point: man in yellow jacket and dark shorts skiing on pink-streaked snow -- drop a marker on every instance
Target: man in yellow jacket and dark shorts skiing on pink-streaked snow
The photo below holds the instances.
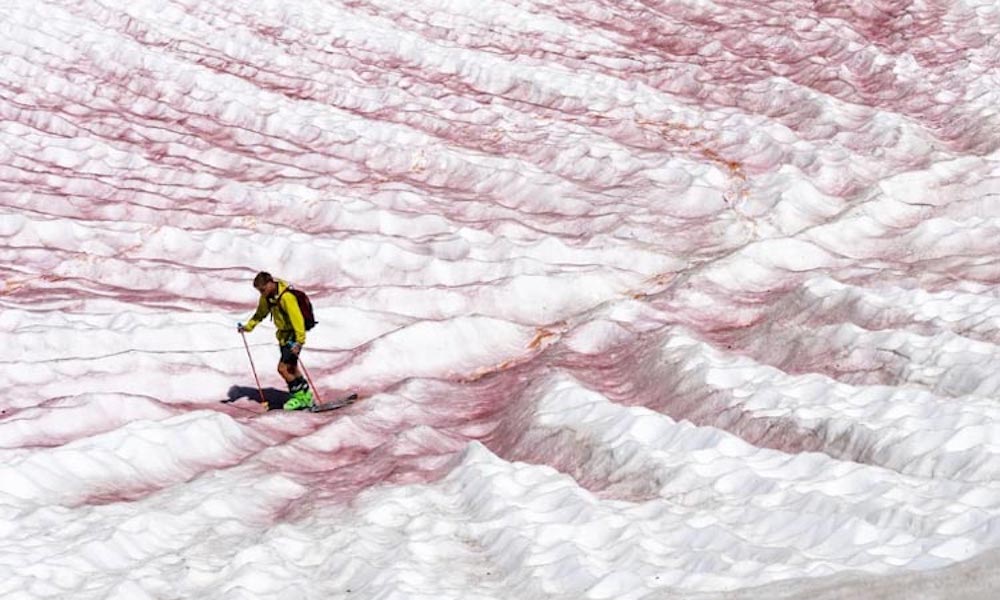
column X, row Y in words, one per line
column 288, row 319
